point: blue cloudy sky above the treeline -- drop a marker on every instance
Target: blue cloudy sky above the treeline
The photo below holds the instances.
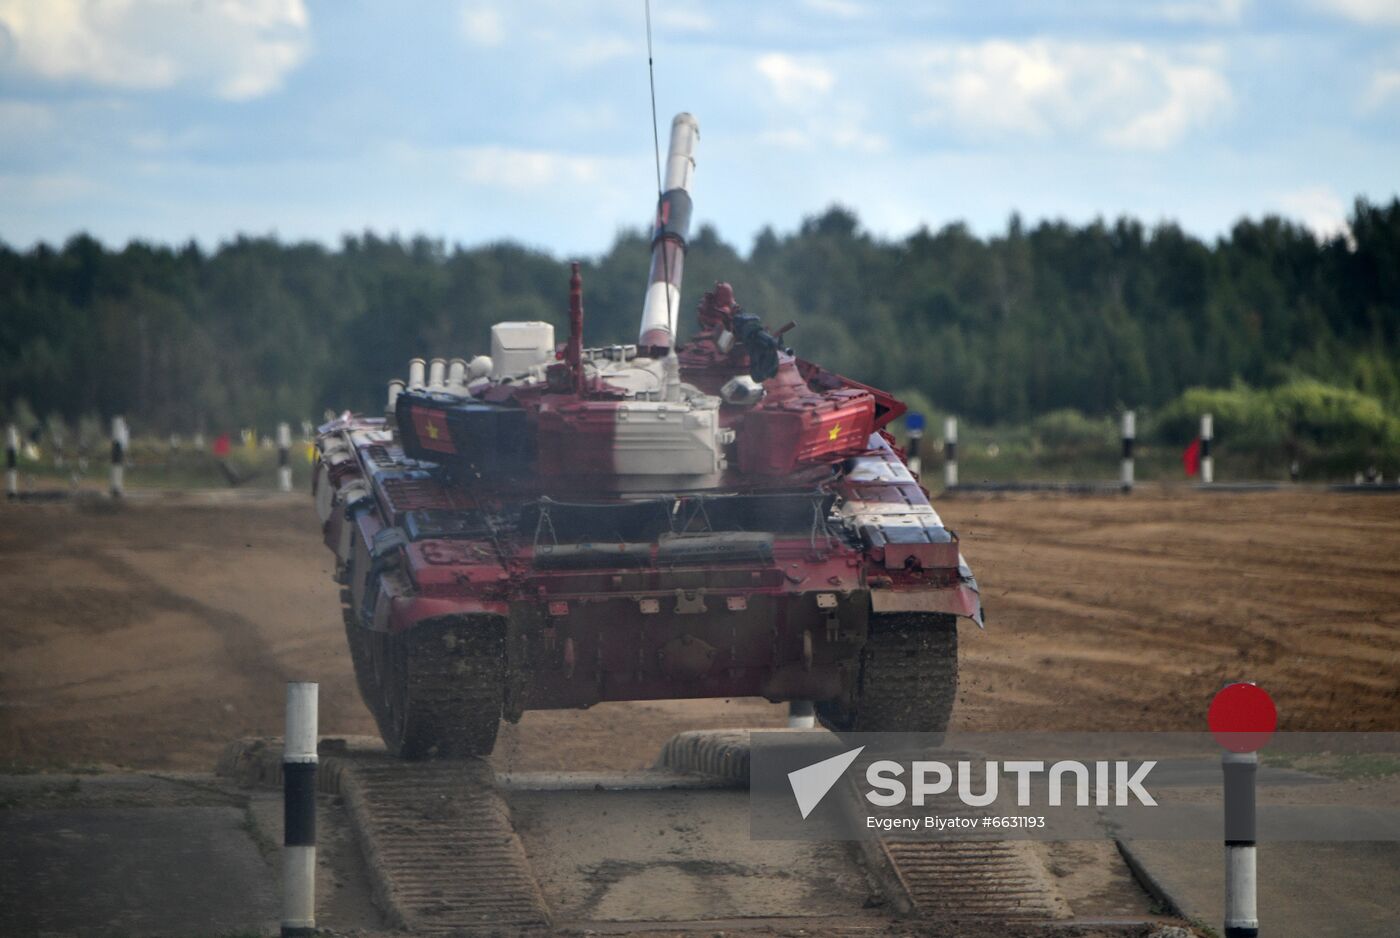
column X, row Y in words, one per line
column 478, row 121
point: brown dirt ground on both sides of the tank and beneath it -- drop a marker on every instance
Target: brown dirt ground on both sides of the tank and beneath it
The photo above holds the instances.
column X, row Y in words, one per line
column 150, row 636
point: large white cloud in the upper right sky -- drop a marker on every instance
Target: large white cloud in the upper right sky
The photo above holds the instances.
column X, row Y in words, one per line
column 1118, row 93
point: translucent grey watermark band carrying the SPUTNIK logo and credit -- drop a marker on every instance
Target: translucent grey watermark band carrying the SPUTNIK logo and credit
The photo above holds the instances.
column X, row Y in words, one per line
column 1034, row 786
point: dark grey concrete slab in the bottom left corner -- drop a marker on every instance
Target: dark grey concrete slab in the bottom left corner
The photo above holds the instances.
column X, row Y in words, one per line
column 134, row 871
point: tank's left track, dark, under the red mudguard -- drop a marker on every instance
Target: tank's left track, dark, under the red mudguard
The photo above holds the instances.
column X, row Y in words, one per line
column 436, row 689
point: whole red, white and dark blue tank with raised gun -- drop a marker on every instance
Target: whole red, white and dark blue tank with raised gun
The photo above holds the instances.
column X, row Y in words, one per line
column 558, row 524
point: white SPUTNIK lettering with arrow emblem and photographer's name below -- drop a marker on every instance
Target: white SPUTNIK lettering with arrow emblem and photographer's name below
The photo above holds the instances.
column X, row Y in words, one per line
column 1114, row 783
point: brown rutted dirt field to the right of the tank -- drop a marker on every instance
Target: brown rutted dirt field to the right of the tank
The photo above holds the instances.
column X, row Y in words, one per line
column 1129, row 612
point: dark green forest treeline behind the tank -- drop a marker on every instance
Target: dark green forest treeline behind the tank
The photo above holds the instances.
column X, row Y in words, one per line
column 1035, row 320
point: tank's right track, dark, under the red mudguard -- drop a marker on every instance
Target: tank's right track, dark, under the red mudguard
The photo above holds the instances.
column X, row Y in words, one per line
column 908, row 678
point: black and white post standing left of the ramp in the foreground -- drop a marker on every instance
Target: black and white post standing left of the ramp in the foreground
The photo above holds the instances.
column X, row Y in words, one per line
column 299, row 792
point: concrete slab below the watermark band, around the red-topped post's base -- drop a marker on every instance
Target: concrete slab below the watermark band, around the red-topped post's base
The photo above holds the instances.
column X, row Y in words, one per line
column 1305, row 890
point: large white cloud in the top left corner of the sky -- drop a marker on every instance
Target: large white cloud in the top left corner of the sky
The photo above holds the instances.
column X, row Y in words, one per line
column 239, row 50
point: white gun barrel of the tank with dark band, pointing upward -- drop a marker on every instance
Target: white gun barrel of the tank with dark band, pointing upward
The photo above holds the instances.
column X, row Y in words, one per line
column 668, row 240
